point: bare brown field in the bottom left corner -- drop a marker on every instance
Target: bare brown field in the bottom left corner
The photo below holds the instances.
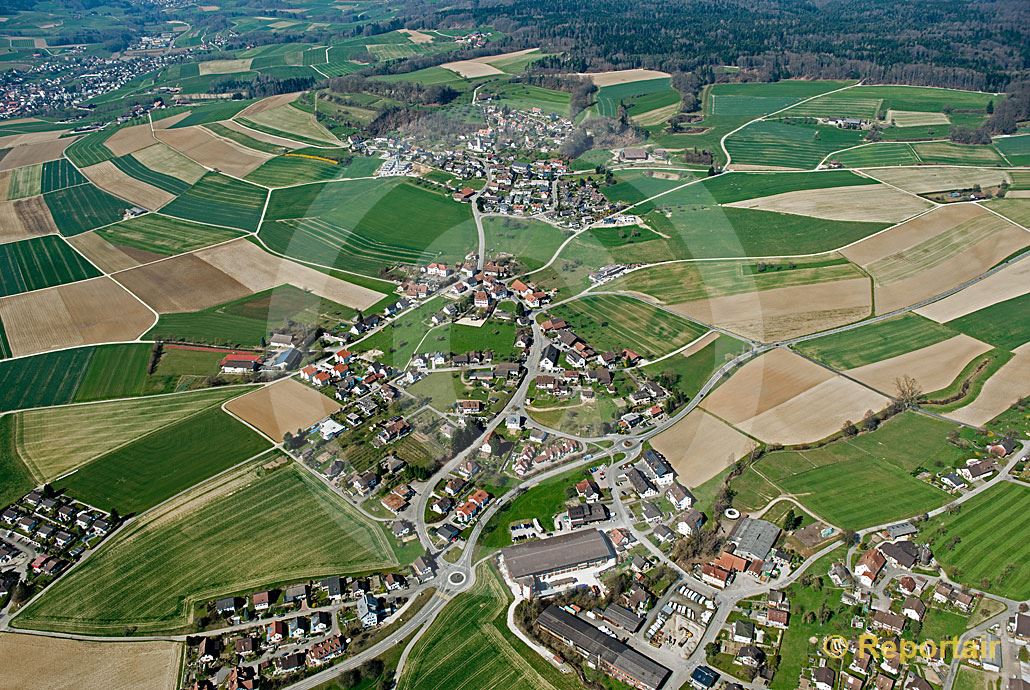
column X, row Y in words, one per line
column 70, row 665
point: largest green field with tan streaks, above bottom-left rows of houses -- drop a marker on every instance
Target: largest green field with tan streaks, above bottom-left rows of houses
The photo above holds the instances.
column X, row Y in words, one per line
column 239, row 514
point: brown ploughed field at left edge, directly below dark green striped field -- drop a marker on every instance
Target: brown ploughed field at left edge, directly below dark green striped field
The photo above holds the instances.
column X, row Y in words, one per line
column 81, row 314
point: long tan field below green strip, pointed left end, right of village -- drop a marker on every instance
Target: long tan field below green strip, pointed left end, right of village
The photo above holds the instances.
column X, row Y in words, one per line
column 784, row 313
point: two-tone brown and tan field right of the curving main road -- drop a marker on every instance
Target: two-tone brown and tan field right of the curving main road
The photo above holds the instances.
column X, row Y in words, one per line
column 782, row 398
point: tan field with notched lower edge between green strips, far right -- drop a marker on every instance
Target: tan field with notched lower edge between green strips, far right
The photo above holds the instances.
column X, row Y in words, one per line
column 934, row 367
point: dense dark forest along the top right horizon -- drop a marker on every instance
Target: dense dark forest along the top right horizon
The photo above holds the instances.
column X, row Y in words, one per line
column 960, row 44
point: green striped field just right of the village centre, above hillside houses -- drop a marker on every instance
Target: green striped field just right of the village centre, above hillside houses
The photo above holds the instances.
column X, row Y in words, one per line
column 611, row 323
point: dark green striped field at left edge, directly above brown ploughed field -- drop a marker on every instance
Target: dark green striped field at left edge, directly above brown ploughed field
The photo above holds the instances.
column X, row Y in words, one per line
column 41, row 262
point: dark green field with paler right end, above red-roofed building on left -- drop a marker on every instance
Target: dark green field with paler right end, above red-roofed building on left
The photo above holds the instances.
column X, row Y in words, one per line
column 249, row 322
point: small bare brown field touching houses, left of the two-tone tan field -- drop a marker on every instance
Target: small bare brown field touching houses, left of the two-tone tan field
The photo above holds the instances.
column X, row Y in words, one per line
column 700, row 446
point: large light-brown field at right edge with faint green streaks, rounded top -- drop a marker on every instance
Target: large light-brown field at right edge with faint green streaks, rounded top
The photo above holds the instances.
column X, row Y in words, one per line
column 929, row 255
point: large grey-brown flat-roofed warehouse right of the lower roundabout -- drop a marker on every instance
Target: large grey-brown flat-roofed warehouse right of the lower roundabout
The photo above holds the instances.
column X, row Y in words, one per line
column 539, row 567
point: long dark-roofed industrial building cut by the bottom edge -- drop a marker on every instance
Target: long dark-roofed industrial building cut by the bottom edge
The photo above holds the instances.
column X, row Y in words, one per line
column 605, row 653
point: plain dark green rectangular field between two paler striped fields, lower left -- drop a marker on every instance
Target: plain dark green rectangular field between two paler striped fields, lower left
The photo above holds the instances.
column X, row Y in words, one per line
column 157, row 467
